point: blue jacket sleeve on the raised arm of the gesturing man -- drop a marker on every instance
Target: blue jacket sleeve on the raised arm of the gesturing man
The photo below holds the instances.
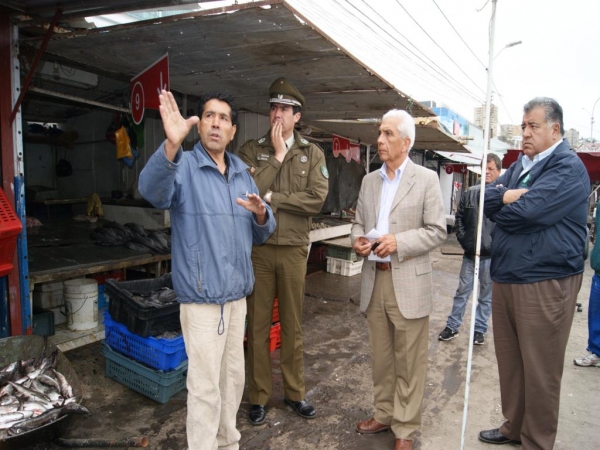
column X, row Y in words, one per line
column 157, row 180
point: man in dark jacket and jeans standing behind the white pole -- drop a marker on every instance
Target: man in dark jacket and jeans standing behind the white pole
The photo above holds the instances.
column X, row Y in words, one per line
column 466, row 221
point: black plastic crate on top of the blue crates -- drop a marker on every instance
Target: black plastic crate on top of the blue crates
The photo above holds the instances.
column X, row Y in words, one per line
column 144, row 321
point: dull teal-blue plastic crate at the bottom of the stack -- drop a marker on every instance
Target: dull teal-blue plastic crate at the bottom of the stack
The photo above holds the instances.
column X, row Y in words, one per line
column 158, row 385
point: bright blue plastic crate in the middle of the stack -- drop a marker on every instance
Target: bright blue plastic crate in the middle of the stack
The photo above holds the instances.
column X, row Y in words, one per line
column 161, row 354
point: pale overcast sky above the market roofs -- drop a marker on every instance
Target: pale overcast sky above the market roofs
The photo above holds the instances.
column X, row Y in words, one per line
column 424, row 57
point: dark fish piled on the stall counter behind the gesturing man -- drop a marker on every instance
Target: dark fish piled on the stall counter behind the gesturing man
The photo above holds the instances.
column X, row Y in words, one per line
column 133, row 236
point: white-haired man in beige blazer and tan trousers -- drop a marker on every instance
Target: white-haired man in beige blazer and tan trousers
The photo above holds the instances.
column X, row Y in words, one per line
column 403, row 203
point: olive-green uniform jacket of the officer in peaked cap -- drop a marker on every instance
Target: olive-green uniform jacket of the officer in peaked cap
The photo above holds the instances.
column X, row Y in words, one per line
column 299, row 185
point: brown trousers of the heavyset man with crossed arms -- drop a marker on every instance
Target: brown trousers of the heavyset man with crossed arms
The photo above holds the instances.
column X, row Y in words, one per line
column 532, row 323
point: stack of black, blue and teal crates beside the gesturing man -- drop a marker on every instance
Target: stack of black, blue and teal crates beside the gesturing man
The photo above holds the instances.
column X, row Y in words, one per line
column 154, row 367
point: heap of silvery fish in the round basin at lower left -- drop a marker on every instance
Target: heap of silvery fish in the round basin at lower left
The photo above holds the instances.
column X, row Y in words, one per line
column 33, row 394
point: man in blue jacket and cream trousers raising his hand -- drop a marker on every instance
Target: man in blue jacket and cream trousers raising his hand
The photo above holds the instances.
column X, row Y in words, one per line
column 216, row 217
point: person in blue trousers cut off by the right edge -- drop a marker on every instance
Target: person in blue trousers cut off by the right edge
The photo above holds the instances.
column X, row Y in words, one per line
column 592, row 359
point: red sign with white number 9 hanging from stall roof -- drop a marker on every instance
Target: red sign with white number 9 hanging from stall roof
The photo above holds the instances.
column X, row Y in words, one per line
column 146, row 87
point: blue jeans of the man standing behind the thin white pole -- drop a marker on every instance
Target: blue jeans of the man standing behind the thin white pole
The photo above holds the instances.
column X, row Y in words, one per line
column 465, row 287
